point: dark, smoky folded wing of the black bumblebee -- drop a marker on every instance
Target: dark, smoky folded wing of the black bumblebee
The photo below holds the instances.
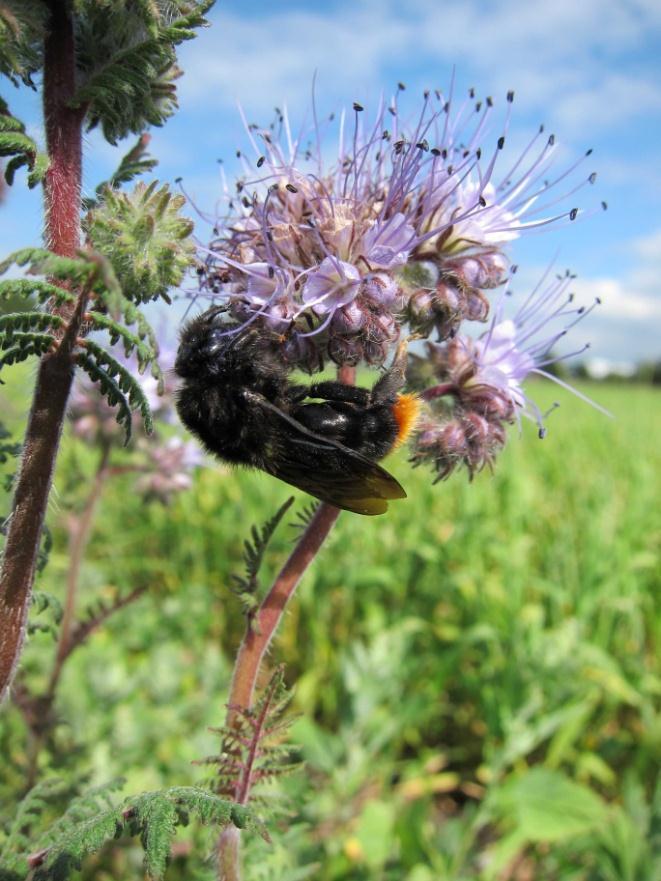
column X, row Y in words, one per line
column 326, row 469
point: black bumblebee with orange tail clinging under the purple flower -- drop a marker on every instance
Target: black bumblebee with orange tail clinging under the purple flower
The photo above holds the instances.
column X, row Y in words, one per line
column 323, row 438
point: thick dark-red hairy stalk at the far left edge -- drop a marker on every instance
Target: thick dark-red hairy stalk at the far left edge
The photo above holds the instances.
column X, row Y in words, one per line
column 55, row 375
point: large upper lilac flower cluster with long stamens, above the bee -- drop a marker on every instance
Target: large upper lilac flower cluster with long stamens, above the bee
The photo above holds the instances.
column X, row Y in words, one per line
column 304, row 240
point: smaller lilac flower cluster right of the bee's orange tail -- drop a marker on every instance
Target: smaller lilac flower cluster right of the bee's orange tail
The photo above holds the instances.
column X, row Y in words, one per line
column 479, row 382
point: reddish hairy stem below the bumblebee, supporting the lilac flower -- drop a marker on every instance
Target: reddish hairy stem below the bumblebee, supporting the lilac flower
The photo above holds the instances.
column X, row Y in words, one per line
column 257, row 640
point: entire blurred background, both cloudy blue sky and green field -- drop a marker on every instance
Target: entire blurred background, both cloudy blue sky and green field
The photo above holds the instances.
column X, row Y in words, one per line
column 476, row 673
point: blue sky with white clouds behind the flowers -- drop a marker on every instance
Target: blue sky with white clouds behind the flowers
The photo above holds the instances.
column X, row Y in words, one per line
column 589, row 70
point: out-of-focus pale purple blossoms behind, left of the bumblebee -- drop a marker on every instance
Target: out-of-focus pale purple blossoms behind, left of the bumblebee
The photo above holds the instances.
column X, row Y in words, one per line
column 162, row 466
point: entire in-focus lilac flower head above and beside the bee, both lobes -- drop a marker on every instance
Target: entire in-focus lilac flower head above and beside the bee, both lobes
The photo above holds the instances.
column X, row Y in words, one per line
column 406, row 229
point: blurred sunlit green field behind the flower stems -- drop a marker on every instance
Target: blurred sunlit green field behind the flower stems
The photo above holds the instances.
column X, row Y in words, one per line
column 476, row 673
